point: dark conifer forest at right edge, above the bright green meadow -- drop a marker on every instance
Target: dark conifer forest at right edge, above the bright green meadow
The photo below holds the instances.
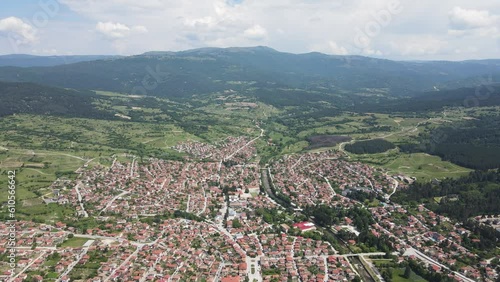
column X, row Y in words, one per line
column 474, row 144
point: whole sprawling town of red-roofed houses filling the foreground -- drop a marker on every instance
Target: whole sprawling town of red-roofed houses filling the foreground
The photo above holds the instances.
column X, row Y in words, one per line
column 217, row 215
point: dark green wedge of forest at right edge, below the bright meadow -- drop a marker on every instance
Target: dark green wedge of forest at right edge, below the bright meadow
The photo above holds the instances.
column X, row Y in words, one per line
column 472, row 195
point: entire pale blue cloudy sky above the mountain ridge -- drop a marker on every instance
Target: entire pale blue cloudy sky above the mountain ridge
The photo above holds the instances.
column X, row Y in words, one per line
column 394, row 29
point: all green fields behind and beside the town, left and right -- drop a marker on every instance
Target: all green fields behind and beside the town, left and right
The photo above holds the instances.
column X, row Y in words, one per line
column 44, row 148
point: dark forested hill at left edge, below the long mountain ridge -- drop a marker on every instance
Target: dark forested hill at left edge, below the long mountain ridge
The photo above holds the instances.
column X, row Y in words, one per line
column 38, row 99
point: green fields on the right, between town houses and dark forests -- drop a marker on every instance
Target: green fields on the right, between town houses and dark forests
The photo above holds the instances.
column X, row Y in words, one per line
column 397, row 129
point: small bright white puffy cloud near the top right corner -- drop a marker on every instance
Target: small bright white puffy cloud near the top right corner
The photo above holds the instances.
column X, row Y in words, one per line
column 461, row 19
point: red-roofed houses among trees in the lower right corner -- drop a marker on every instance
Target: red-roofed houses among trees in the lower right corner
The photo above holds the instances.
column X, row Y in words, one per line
column 414, row 229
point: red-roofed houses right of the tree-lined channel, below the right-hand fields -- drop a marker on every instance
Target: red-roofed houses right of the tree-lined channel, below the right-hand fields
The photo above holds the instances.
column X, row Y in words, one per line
column 312, row 178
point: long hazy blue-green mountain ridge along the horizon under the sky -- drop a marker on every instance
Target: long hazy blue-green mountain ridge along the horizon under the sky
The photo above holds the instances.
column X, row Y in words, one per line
column 182, row 74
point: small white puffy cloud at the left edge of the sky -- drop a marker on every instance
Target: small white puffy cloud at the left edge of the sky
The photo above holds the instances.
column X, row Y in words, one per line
column 17, row 30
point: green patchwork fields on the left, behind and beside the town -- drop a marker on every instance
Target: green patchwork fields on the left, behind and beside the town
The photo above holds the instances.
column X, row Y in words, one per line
column 44, row 148
